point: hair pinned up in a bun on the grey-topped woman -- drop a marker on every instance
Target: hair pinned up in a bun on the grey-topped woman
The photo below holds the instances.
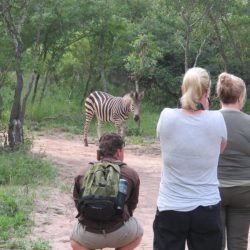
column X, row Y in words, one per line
column 230, row 88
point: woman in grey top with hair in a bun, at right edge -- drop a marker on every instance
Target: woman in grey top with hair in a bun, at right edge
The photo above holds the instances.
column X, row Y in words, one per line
column 234, row 163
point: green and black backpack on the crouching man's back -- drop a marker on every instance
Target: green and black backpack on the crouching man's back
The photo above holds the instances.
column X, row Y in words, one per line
column 99, row 192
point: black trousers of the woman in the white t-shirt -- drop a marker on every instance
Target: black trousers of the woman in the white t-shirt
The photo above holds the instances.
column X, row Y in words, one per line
column 201, row 228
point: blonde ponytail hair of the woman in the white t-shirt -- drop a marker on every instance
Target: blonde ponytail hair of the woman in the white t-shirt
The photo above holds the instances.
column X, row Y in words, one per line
column 195, row 83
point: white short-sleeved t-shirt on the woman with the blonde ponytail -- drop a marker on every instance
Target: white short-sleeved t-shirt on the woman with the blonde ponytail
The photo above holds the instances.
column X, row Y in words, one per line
column 190, row 146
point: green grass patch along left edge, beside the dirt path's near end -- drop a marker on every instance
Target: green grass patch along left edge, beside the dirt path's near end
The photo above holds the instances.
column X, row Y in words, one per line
column 20, row 173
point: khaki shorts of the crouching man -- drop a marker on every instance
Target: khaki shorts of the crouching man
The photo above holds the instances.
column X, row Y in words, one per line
column 130, row 231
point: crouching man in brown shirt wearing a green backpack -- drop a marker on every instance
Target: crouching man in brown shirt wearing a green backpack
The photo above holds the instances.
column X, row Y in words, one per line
column 120, row 230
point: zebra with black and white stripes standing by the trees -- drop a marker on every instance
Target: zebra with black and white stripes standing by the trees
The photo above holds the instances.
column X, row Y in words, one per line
column 108, row 108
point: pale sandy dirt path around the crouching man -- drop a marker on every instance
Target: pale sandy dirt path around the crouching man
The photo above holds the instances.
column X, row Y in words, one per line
column 55, row 212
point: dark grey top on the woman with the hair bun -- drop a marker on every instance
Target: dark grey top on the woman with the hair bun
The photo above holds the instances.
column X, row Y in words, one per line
column 234, row 163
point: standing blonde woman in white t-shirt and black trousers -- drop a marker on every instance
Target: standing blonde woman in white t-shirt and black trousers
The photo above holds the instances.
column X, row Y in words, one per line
column 191, row 138
